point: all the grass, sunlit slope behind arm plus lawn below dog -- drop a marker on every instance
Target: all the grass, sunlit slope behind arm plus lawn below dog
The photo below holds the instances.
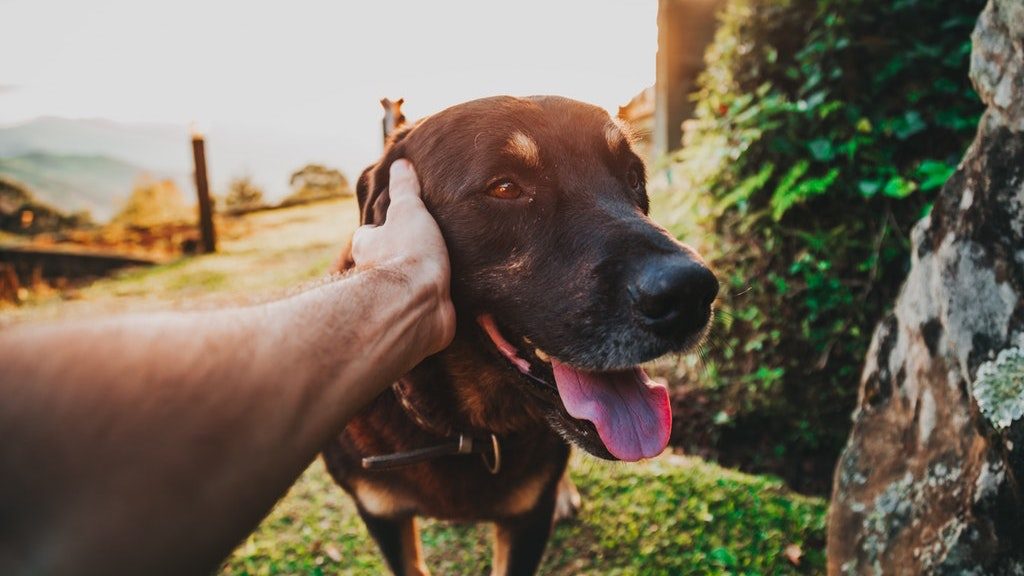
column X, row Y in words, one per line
column 669, row 516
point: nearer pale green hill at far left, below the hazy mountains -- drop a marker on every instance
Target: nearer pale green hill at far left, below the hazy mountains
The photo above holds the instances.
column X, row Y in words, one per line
column 97, row 184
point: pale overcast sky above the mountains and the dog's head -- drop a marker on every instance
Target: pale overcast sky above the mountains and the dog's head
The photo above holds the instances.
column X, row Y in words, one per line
column 313, row 69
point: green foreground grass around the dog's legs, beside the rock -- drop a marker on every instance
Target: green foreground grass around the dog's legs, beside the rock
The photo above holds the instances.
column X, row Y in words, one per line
column 669, row 516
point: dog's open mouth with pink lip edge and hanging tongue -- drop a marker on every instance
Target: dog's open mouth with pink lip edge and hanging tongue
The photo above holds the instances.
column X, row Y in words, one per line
column 630, row 413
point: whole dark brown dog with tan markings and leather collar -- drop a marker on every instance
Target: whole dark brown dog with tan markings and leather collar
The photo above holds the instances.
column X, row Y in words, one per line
column 563, row 285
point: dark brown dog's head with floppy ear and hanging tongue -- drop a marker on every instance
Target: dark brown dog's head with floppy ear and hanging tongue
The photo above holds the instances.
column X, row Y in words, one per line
column 543, row 208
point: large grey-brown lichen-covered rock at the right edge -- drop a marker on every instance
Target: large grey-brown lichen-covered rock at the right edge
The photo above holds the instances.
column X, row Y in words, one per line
column 930, row 480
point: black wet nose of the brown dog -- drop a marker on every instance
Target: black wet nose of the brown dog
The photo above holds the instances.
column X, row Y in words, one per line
column 674, row 295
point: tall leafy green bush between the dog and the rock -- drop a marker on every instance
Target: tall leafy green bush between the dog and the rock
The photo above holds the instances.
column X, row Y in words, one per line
column 824, row 132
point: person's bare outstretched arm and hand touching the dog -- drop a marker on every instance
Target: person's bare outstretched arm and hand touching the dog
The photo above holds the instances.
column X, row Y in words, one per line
column 155, row 444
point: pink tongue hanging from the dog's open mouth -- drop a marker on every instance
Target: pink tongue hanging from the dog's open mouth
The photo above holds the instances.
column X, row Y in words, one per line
column 630, row 412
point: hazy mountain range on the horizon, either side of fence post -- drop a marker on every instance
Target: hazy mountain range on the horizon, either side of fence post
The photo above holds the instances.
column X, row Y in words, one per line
column 268, row 157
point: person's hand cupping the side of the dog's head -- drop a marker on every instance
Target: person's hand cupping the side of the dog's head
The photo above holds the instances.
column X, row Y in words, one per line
column 410, row 243
